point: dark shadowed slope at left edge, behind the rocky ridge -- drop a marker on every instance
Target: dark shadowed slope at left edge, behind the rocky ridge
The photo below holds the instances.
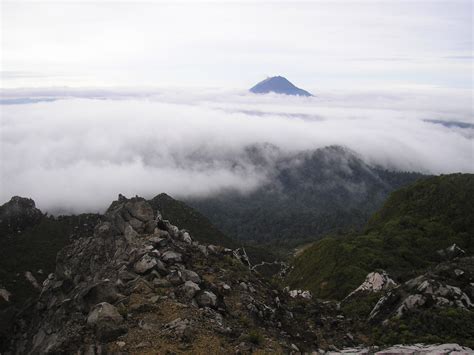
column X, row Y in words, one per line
column 30, row 242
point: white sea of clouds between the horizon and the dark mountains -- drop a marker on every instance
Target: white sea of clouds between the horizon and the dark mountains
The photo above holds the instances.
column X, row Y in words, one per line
column 74, row 150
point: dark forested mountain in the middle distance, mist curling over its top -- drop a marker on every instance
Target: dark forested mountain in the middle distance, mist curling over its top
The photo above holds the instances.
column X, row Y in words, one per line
column 307, row 195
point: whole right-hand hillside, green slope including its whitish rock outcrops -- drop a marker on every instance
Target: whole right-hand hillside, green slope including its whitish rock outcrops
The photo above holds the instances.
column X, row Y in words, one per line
column 416, row 255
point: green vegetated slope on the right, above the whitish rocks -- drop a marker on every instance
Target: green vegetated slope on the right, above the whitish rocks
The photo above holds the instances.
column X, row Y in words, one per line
column 402, row 238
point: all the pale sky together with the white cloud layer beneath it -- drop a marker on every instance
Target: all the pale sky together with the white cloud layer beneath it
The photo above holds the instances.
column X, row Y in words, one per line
column 105, row 97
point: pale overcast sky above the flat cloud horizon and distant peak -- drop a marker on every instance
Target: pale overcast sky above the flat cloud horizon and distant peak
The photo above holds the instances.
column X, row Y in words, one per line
column 318, row 44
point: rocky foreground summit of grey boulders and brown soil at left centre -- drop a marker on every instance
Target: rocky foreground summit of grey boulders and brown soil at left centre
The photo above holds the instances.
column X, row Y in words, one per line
column 141, row 285
